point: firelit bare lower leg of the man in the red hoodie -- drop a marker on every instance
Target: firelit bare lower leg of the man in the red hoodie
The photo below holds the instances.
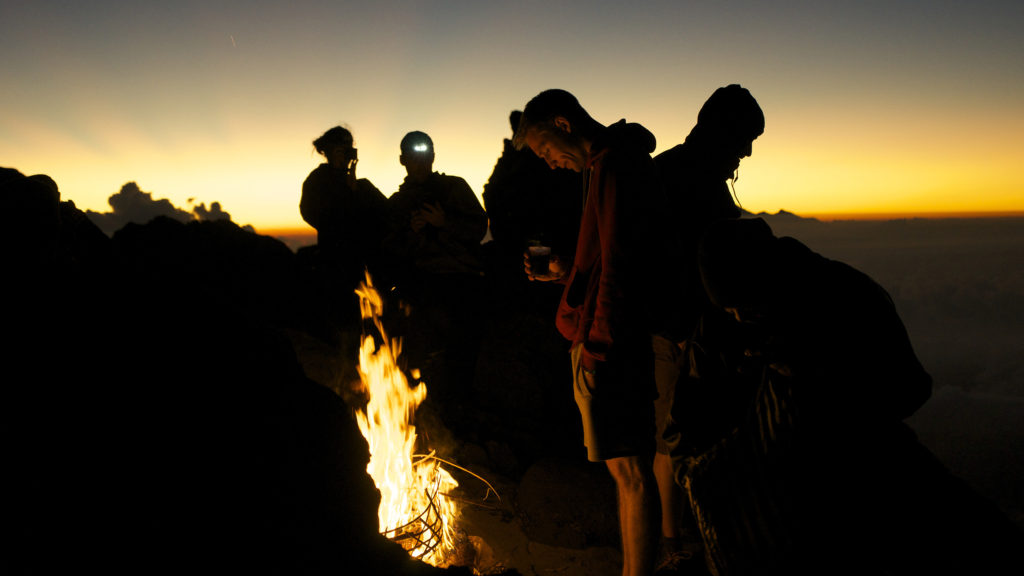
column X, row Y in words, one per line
column 638, row 512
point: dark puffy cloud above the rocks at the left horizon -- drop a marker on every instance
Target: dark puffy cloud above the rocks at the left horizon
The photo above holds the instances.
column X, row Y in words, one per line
column 132, row 204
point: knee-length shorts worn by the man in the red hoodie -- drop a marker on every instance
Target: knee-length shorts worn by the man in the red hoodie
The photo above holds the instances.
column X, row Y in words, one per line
column 616, row 404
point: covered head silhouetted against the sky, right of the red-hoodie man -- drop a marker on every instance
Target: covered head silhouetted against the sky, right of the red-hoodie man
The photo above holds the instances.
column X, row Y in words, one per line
column 728, row 126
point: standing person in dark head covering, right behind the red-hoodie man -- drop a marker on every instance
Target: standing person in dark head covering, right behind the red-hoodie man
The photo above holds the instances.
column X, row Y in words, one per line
column 695, row 175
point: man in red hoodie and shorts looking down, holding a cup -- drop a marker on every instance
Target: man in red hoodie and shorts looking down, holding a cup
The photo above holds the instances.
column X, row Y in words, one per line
column 605, row 307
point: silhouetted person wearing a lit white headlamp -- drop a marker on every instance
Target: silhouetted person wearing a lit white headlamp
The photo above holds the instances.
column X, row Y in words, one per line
column 434, row 249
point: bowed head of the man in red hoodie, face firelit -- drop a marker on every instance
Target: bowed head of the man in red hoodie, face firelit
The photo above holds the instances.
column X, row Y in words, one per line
column 558, row 129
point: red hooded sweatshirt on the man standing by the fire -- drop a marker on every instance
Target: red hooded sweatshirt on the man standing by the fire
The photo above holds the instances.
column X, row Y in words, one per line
column 608, row 298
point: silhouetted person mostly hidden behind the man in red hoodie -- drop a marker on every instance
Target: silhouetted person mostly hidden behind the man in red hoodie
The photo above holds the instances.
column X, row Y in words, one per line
column 528, row 203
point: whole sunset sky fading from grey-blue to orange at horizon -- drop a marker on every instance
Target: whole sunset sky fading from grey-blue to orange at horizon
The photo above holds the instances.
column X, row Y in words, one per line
column 871, row 108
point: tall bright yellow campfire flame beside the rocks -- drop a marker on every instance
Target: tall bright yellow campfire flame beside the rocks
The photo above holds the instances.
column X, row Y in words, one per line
column 415, row 509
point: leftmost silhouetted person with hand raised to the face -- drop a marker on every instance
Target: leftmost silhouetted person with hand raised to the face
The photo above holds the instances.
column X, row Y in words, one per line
column 349, row 214
